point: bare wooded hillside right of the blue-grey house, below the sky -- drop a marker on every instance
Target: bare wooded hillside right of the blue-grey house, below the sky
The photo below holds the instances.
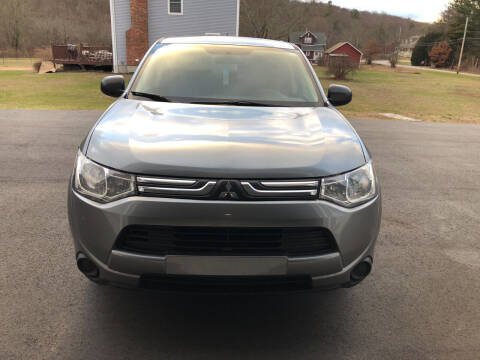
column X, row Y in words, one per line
column 276, row 18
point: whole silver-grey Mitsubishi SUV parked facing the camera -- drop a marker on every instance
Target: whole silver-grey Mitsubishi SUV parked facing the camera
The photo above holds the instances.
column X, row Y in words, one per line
column 224, row 166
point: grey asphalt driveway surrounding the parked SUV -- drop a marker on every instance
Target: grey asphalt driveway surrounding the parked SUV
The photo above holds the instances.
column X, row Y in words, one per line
column 421, row 302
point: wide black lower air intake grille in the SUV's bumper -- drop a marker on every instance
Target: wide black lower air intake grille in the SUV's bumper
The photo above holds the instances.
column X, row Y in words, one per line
column 291, row 242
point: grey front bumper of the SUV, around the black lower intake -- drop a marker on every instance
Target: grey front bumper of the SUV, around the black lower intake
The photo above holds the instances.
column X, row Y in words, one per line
column 95, row 228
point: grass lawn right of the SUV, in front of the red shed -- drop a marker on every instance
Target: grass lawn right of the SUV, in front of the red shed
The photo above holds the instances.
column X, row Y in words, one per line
column 423, row 95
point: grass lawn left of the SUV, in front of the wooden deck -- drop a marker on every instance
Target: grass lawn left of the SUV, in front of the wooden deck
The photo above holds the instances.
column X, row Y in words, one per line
column 59, row 91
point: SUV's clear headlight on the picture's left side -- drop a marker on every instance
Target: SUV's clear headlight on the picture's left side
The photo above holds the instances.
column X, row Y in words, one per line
column 99, row 183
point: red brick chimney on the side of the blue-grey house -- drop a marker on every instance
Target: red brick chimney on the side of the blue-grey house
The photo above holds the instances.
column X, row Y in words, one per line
column 137, row 35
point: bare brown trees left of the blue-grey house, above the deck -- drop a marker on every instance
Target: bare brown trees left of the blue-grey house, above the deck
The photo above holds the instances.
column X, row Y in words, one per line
column 29, row 25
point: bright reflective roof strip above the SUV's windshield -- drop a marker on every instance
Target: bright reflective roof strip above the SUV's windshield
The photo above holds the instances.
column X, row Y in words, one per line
column 227, row 40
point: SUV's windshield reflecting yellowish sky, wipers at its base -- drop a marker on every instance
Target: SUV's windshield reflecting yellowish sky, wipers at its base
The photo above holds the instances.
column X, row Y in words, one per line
column 238, row 75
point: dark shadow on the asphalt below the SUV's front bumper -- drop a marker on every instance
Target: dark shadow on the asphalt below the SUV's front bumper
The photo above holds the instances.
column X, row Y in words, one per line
column 148, row 324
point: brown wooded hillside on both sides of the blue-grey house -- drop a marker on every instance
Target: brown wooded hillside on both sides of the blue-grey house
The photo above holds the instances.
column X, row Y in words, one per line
column 30, row 24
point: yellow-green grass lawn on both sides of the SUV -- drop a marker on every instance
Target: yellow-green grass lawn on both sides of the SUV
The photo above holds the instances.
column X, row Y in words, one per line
column 423, row 95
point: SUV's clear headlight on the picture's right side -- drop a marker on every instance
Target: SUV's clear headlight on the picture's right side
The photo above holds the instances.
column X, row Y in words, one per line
column 350, row 189
